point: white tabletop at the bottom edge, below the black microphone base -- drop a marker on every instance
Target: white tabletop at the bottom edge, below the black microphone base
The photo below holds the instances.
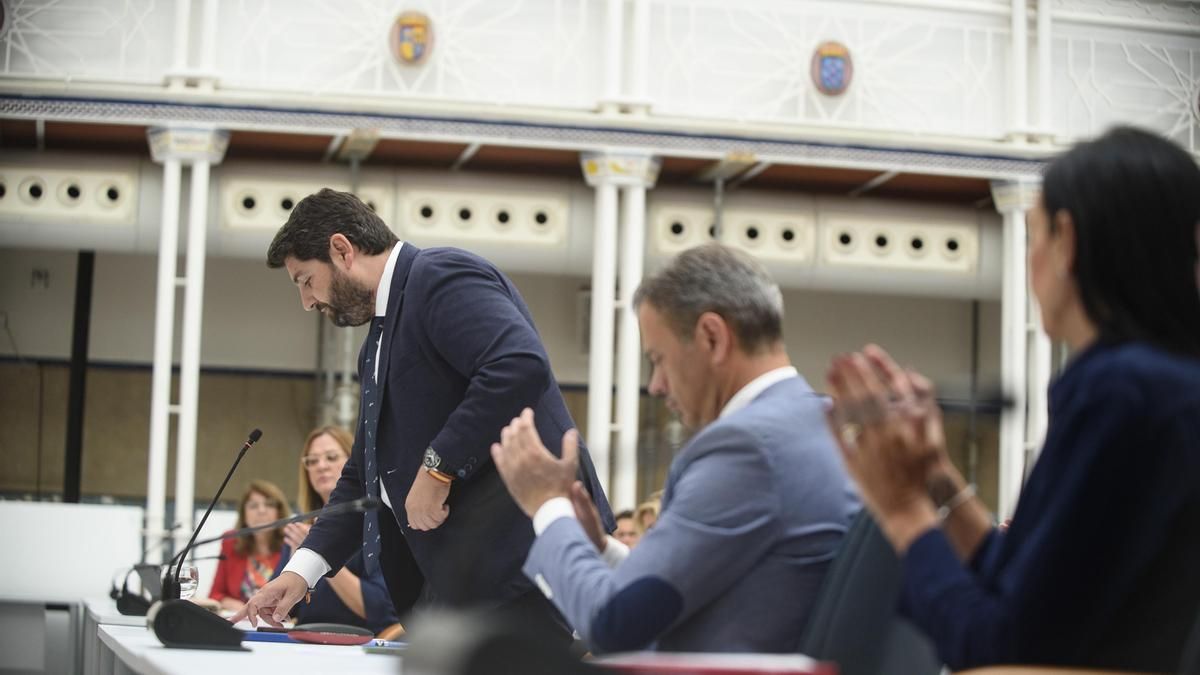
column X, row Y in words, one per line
column 141, row 652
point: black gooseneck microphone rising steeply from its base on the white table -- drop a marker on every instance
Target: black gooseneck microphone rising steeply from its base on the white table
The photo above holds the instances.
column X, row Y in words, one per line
column 183, row 624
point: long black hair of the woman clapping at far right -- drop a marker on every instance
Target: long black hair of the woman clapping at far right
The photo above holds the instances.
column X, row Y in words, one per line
column 1135, row 199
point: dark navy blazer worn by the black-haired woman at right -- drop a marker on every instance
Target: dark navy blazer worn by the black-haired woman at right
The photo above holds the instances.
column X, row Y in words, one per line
column 1099, row 568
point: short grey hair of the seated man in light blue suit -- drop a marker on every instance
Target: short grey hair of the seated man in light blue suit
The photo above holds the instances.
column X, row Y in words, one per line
column 718, row 279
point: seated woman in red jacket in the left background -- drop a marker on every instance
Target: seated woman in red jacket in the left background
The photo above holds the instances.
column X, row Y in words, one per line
column 248, row 563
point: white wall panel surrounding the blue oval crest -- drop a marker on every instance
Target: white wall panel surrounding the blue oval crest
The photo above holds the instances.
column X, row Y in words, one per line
column 914, row 70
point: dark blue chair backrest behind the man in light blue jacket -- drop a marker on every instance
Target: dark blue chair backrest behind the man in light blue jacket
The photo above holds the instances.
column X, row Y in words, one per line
column 855, row 622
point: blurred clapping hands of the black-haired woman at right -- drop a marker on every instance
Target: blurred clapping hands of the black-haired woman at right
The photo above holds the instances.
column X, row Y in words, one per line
column 890, row 429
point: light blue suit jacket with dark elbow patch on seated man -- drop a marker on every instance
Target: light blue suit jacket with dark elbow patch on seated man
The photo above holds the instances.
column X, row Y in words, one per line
column 754, row 510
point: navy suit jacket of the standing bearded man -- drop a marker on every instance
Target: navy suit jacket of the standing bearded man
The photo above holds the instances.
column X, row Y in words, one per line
column 460, row 360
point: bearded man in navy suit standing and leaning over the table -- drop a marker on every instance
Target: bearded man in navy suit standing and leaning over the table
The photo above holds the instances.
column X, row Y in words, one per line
column 452, row 356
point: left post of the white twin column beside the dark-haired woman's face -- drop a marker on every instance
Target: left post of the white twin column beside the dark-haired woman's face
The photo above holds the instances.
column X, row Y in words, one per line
column 1013, row 199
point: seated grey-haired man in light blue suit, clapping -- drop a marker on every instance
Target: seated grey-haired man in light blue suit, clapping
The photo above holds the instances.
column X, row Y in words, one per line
column 755, row 505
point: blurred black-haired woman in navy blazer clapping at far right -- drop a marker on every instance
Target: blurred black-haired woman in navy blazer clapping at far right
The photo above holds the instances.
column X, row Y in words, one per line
column 1099, row 566
